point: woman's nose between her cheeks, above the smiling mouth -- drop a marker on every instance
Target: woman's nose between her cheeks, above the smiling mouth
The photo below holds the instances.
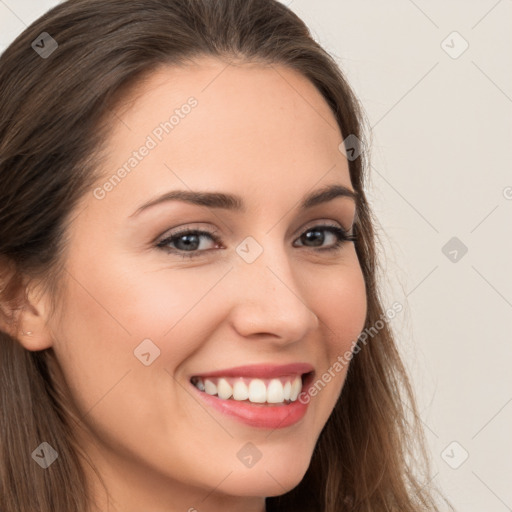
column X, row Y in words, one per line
column 269, row 301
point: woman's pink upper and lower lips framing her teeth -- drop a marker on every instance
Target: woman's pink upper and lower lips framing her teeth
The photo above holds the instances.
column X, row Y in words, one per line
column 268, row 416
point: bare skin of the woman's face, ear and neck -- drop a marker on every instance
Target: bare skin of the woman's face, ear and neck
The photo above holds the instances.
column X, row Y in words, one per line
column 267, row 135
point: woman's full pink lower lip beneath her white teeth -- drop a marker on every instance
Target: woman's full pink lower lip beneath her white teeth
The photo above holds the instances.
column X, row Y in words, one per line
column 259, row 415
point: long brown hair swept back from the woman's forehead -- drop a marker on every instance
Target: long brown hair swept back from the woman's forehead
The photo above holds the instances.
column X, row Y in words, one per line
column 371, row 454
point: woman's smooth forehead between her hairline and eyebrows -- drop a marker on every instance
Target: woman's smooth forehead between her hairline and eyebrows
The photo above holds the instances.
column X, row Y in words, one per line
column 252, row 127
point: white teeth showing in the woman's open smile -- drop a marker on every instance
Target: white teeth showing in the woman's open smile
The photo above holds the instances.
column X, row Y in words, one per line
column 272, row 391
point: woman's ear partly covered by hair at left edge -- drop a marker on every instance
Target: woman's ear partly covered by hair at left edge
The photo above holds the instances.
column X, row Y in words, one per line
column 24, row 316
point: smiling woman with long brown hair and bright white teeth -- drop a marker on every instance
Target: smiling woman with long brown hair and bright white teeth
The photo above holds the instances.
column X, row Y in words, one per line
column 190, row 315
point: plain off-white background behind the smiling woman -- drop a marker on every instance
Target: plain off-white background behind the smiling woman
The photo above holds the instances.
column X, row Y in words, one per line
column 441, row 168
